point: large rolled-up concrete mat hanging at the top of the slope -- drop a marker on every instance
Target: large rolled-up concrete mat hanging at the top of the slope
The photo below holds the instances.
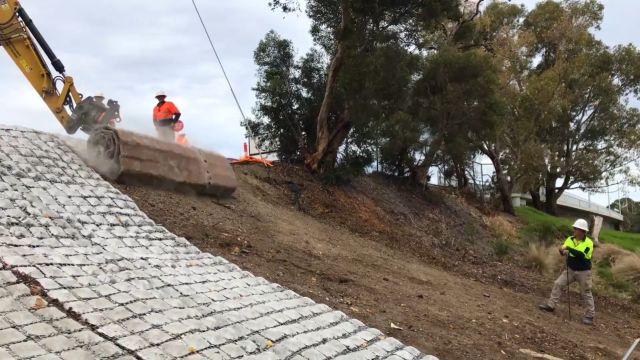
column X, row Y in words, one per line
column 131, row 158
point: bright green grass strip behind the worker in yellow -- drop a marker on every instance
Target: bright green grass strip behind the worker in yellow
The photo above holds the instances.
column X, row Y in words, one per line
column 536, row 218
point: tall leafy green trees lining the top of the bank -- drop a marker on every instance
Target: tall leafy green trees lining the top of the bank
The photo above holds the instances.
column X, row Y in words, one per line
column 422, row 83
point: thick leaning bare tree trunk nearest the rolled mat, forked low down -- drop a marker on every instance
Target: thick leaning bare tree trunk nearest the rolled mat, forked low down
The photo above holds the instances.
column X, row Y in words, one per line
column 328, row 141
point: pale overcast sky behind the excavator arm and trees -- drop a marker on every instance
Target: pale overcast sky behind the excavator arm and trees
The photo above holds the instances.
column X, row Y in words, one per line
column 130, row 49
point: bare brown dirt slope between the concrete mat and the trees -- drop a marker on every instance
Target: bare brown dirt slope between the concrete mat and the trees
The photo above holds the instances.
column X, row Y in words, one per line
column 387, row 254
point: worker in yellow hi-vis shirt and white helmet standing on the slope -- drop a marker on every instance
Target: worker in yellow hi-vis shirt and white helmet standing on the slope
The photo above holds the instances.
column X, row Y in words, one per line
column 579, row 251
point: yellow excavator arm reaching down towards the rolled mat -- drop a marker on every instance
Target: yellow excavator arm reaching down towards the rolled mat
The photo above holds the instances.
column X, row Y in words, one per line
column 17, row 35
